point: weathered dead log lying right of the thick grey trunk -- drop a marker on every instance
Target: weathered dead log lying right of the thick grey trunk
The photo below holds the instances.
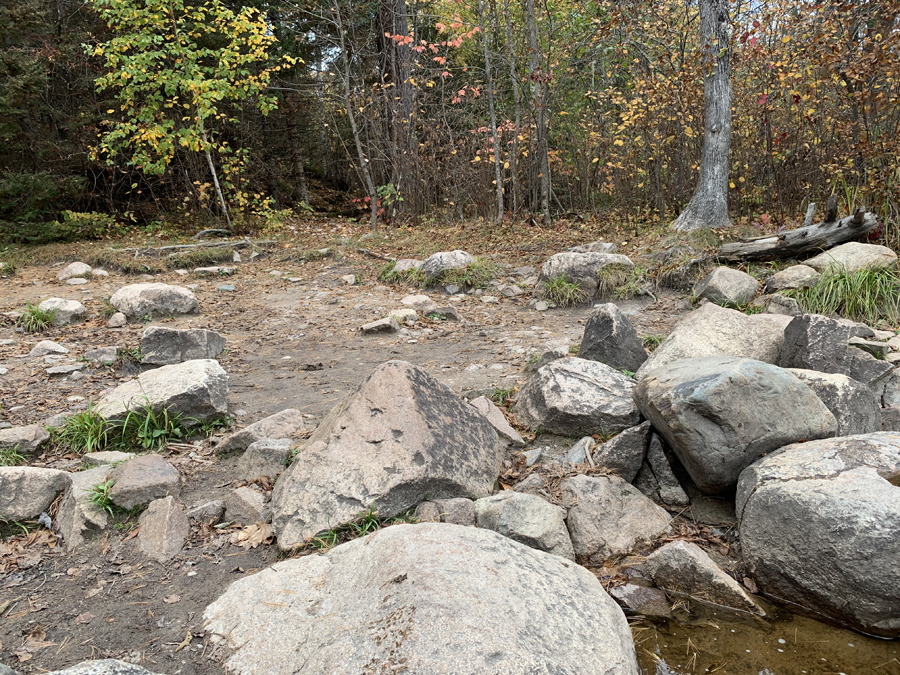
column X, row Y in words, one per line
column 790, row 244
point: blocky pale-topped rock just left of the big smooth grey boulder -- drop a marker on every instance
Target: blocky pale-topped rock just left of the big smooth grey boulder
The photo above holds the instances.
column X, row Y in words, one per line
column 575, row 396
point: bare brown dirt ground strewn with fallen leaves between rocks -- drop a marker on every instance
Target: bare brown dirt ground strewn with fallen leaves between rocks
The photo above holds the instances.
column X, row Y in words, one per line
column 290, row 344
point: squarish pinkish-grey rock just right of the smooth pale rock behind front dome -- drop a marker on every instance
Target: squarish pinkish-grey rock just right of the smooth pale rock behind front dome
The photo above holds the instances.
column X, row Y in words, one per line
column 608, row 517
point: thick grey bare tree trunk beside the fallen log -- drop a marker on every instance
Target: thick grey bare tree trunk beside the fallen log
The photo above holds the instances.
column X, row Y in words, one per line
column 709, row 206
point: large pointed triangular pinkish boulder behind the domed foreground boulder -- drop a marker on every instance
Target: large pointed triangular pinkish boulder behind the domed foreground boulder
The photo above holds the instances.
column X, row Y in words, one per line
column 400, row 437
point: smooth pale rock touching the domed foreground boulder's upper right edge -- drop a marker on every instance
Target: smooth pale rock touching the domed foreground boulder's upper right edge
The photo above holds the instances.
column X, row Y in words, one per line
column 527, row 519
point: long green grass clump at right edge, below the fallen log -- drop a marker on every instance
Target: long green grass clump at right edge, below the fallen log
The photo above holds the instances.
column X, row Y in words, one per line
column 871, row 295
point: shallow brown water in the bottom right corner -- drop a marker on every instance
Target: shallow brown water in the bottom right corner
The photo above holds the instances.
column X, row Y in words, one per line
column 704, row 640
